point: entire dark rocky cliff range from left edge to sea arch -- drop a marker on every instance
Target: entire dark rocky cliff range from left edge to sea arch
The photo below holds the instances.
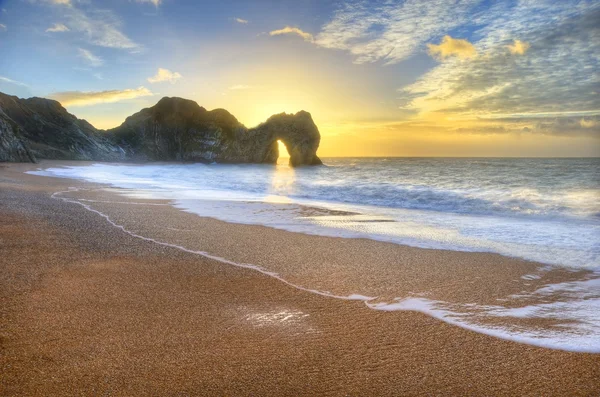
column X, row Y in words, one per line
column 173, row 129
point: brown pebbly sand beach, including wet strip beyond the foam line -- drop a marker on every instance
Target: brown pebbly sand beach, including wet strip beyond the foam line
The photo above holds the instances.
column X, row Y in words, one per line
column 90, row 310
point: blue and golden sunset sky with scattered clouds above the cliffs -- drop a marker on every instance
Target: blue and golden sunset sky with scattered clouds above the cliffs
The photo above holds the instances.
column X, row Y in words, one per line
column 380, row 78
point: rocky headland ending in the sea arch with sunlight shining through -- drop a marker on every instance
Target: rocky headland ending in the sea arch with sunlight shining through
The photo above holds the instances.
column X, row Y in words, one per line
column 180, row 129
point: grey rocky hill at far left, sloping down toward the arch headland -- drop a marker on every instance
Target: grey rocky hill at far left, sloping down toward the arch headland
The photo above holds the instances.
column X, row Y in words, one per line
column 50, row 132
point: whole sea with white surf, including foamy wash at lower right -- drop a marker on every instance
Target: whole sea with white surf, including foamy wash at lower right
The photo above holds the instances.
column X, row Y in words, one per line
column 542, row 210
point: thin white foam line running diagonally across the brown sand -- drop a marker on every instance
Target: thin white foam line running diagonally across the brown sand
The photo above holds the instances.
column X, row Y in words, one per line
column 421, row 305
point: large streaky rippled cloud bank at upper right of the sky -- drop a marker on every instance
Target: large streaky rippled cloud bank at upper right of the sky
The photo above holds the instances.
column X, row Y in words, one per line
column 557, row 81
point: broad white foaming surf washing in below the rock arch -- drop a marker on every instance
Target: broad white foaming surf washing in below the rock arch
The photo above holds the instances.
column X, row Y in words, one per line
column 519, row 221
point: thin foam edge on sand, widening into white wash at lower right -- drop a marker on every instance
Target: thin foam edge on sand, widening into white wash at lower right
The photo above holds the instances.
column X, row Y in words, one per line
column 581, row 338
